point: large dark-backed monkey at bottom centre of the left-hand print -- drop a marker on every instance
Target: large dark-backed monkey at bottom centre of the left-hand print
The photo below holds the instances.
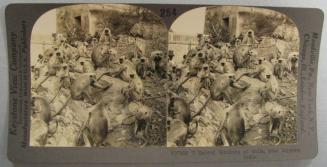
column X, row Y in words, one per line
column 97, row 124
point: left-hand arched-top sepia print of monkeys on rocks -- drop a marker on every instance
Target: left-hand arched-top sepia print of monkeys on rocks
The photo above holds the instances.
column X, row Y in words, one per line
column 97, row 77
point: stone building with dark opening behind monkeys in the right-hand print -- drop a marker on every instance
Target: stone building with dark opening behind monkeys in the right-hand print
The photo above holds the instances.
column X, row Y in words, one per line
column 237, row 20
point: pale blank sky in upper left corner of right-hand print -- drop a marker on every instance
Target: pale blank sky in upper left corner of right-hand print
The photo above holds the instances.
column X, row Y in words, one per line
column 190, row 23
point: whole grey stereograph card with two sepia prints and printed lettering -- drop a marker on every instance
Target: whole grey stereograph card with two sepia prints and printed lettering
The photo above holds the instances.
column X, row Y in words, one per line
column 161, row 83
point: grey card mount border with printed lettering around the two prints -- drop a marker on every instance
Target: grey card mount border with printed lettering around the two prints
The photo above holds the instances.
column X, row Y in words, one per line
column 308, row 20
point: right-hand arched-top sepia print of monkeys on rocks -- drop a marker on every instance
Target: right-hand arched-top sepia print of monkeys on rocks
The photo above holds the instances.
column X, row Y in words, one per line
column 232, row 78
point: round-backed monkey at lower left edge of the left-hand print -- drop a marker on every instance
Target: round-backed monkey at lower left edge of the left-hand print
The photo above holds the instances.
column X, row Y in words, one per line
column 41, row 109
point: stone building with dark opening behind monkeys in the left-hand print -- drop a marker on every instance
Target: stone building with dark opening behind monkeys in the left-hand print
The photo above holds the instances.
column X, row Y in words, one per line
column 127, row 22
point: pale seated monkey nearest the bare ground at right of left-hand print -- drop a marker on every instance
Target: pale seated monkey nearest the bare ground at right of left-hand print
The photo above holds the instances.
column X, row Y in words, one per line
column 135, row 89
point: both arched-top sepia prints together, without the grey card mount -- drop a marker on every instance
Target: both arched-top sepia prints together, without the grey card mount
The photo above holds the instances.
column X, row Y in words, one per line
column 112, row 75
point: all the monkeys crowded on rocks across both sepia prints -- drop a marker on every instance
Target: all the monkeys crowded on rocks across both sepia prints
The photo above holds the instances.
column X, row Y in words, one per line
column 79, row 66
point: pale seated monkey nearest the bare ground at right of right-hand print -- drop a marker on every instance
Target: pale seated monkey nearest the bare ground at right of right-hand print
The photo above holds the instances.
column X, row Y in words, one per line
column 271, row 89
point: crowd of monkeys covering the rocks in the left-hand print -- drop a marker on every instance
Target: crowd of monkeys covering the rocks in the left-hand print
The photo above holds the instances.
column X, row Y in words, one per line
column 79, row 67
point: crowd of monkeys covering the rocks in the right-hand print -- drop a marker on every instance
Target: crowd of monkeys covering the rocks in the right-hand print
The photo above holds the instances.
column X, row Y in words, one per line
column 219, row 68
